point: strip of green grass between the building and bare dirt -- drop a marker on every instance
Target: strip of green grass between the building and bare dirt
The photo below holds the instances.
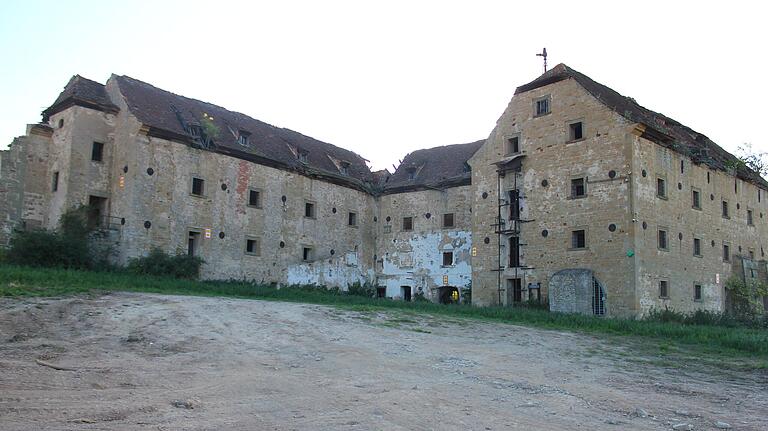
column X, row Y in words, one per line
column 724, row 342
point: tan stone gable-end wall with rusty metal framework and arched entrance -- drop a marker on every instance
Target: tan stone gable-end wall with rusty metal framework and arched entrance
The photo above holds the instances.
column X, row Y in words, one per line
column 550, row 162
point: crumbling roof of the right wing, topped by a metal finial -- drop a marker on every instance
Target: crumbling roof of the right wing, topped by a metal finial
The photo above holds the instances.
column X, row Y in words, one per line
column 659, row 128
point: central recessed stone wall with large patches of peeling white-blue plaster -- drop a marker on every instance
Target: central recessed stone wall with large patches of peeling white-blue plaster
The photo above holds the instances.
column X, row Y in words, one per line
column 415, row 258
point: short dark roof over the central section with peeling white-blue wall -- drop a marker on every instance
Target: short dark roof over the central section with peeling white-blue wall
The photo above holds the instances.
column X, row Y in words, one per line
column 434, row 168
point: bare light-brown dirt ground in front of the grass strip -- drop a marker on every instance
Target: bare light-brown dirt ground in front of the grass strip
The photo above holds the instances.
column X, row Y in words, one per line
column 140, row 361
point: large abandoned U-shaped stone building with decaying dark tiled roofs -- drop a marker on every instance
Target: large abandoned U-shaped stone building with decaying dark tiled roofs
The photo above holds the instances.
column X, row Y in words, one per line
column 579, row 196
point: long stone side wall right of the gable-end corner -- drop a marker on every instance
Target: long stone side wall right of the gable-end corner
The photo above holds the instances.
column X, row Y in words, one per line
column 675, row 214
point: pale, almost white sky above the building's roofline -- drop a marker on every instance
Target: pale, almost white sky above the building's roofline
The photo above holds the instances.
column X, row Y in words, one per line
column 386, row 78
